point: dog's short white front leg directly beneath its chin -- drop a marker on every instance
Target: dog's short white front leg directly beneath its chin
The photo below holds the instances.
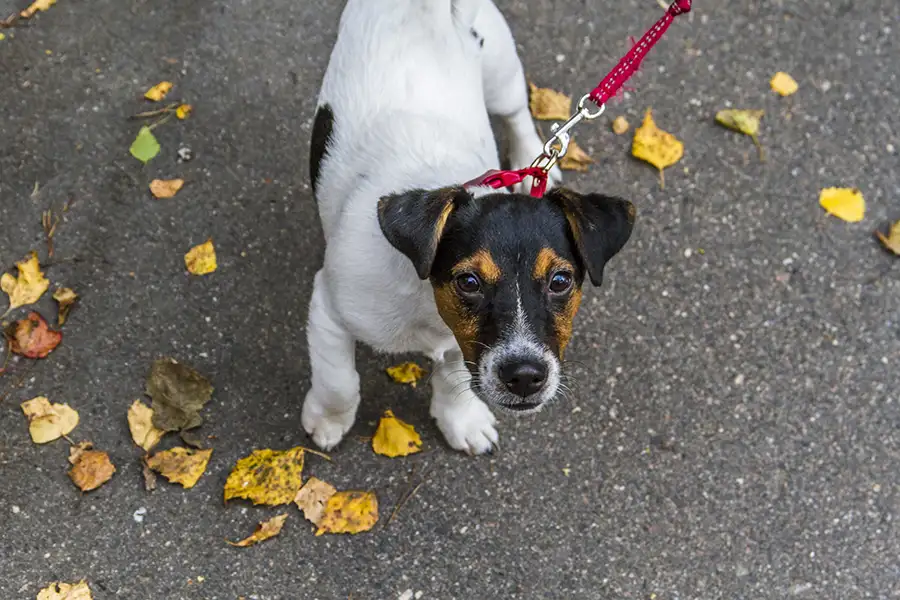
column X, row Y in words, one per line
column 466, row 422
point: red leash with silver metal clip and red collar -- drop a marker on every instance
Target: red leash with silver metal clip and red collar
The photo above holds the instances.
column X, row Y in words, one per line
column 608, row 88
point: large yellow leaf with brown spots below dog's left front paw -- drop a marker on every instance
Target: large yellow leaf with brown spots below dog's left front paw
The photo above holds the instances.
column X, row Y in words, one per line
column 267, row 477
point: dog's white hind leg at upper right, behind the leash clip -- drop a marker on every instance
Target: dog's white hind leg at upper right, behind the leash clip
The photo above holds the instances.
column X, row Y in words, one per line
column 505, row 89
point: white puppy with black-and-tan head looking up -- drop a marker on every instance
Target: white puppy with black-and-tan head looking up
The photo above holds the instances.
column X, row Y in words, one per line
column 485, row 283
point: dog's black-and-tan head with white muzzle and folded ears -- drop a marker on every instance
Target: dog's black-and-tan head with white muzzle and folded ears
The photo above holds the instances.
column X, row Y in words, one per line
column 507, row 271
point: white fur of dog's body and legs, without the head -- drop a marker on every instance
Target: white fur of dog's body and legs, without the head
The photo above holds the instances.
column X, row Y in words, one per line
column 411, row 90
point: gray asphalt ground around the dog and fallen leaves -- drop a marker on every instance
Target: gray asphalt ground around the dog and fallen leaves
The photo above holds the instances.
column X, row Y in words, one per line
column 735, row 431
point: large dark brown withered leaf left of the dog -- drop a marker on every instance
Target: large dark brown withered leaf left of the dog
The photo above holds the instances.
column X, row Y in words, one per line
column 178, row 393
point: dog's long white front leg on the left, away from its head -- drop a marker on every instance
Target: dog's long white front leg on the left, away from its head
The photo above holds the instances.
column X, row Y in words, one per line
column 330, row 406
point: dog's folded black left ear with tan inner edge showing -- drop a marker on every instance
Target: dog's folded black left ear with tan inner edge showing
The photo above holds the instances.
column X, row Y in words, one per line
column 413, row 222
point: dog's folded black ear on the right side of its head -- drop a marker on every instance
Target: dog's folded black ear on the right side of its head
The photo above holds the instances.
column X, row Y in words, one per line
column 600, row 225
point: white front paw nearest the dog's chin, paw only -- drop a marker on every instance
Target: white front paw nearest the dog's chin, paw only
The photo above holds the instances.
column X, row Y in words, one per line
column 467, row 425
